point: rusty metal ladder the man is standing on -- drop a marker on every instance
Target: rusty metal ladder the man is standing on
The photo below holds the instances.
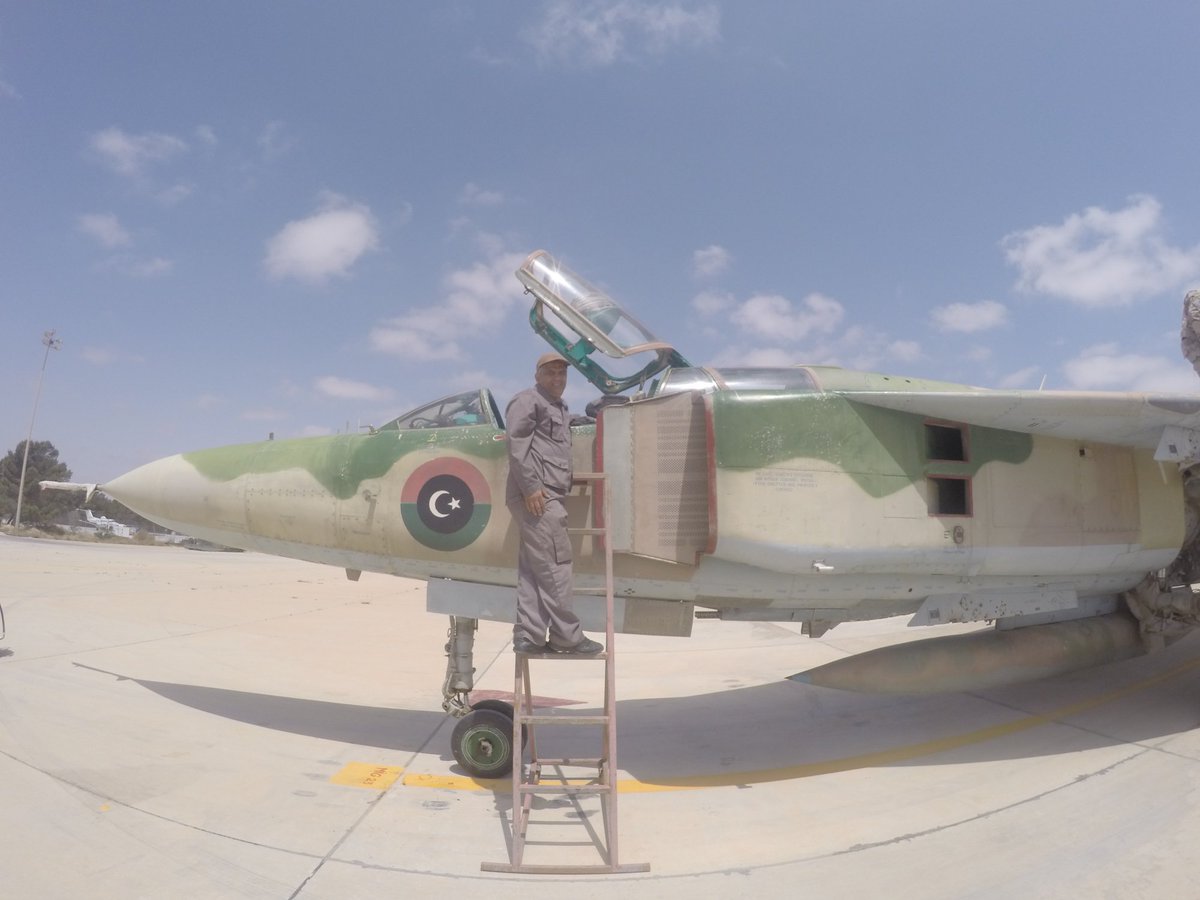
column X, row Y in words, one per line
column 535, row 779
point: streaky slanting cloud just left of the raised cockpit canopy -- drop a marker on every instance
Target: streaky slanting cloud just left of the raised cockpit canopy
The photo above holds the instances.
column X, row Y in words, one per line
column 477, row 301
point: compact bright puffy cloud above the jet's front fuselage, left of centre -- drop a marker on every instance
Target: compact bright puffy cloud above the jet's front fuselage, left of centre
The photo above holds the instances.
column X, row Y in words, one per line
column 326, row 244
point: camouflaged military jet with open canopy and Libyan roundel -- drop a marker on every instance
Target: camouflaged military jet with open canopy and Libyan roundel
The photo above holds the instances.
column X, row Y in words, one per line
column 811, row 495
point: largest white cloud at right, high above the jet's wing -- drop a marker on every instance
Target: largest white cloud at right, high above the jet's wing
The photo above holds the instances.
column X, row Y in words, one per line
column 1100, row 259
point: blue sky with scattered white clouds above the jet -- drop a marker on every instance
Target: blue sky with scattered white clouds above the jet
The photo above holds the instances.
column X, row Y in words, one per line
column 302, row 218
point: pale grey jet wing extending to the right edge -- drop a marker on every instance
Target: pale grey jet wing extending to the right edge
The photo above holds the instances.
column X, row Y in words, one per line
column 1141, row 421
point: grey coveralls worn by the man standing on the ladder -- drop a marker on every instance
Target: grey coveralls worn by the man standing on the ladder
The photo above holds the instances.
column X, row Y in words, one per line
column 539, row 441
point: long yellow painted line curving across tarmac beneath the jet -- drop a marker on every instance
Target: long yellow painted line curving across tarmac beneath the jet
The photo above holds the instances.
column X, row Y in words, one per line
column 829, row 767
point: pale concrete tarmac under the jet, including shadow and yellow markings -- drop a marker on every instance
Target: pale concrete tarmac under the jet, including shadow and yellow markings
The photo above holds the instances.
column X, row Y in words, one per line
column 230, row 725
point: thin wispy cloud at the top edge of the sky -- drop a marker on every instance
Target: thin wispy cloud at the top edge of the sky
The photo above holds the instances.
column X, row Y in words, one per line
column 599, row 33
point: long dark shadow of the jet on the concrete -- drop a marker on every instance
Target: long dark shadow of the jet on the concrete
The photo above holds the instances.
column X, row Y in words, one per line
column 783, row 730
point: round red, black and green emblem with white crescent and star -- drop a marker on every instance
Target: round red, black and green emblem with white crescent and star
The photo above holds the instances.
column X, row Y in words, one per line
column 446, row 503
